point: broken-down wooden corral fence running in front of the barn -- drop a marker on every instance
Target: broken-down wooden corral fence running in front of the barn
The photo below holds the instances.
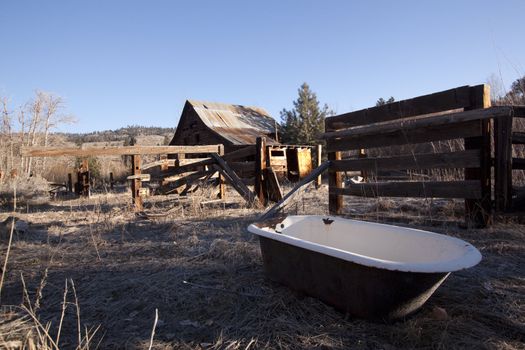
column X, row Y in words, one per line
column 183, row 168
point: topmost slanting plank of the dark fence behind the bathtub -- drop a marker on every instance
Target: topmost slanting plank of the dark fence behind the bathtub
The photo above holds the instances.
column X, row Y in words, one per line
column 437, row 102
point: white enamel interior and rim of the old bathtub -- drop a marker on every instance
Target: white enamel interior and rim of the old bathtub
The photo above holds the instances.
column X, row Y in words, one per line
column 392, row 246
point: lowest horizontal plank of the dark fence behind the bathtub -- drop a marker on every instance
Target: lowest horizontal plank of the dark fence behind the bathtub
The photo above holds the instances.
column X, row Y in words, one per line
column 429, row 189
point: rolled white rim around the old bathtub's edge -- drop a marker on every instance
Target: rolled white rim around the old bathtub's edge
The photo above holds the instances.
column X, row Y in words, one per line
column 470, row 258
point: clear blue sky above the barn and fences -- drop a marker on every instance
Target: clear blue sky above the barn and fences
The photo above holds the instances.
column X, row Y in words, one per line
column 118, row 63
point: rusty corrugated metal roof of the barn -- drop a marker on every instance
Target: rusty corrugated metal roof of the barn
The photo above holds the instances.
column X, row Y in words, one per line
column 238, row 124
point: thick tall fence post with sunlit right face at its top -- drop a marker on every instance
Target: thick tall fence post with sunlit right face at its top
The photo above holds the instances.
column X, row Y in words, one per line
column 479, row 211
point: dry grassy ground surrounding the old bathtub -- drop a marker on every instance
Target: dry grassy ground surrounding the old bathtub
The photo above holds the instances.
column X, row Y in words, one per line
column 199, row 268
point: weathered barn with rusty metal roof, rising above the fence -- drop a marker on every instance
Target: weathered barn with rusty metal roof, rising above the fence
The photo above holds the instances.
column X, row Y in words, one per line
column 234, row 126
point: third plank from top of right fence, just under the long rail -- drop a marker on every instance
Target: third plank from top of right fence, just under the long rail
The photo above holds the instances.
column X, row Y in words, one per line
column 402, row 137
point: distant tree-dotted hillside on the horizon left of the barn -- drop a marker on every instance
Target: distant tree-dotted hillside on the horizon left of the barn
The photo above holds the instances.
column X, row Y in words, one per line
column 126, row 135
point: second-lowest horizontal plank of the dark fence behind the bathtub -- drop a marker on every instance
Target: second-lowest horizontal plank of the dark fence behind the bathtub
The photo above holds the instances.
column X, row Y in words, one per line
column 461, row 159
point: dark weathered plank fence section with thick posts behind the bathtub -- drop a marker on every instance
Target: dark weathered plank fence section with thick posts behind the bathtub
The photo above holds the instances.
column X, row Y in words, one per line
column 463, row 113
